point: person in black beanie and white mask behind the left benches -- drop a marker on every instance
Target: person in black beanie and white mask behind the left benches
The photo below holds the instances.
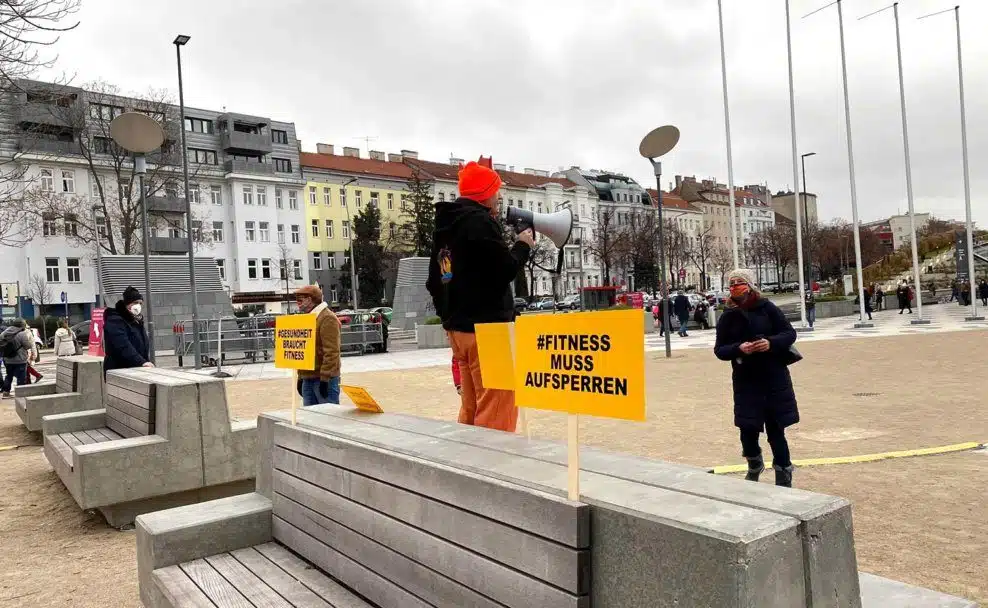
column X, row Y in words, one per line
column 125, row 341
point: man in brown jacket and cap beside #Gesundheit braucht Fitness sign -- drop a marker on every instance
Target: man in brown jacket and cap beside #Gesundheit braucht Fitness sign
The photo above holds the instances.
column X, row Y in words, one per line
column 321, row 384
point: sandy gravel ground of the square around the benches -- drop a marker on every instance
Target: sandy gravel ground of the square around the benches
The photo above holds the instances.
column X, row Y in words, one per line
column 921, row 520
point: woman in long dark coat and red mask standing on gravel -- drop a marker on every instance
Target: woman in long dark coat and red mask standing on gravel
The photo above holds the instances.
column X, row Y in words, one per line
column 754, row 335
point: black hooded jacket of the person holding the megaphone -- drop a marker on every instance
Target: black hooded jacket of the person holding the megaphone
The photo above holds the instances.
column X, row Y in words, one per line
column 471, row 268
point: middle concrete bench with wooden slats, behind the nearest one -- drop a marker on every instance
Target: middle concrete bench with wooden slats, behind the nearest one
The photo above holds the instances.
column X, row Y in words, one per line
column 164, row 439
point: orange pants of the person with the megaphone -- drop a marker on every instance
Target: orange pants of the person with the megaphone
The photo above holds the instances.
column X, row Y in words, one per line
column 479, row 406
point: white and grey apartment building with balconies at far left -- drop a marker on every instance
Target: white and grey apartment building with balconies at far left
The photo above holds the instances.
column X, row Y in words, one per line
column 245, row 189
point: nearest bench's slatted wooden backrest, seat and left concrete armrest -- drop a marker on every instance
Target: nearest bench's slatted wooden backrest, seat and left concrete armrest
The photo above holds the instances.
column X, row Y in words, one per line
column 340, row 523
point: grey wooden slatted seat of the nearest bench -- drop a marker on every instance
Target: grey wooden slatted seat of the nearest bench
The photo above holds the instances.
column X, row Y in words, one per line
column 264, row 575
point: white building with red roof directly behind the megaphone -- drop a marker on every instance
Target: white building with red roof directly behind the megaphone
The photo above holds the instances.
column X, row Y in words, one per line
column 536, row 191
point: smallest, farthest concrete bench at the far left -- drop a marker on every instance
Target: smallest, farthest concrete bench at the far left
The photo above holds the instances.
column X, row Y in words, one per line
column 78, row 386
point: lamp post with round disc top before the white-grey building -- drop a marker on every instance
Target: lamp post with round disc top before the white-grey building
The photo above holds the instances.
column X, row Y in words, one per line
column 140, row 134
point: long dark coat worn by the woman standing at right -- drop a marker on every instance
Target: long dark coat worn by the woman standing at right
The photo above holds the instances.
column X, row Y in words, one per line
column 762, row 384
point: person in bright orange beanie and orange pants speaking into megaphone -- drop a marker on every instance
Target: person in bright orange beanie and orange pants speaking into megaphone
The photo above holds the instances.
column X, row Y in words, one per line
column 470, row 274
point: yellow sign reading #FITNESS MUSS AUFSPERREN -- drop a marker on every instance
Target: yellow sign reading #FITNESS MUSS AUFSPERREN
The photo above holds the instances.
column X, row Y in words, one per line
column 589, row 363
